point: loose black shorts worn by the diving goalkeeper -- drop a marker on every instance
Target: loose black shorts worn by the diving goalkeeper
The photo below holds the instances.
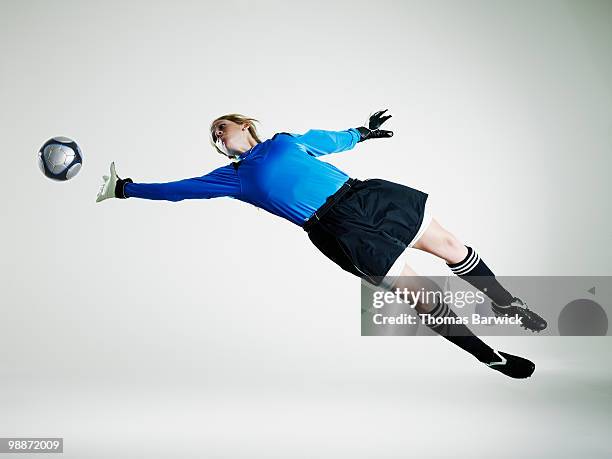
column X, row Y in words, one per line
column 366, row 225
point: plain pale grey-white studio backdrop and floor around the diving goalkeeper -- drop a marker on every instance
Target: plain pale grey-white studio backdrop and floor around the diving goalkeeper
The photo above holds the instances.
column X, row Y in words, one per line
column 213, row 329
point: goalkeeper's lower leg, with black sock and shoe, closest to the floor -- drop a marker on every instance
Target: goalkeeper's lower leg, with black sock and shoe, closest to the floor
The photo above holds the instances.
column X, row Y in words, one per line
column 442, row 320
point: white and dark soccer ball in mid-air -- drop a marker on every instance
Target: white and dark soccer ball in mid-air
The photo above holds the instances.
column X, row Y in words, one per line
column 60, row 158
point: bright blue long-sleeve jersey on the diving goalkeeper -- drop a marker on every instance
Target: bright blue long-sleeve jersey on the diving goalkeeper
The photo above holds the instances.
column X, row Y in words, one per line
column 280, row 175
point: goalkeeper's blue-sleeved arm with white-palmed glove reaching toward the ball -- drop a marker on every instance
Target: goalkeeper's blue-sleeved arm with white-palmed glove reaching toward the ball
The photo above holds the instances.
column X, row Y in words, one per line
column 223, row 181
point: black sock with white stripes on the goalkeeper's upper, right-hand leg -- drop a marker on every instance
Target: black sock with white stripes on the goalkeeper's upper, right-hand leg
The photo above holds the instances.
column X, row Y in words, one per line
column 473, row 270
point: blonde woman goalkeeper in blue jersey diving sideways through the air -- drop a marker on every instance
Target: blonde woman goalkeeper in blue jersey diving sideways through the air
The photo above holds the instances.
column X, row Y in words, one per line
column 363, row 226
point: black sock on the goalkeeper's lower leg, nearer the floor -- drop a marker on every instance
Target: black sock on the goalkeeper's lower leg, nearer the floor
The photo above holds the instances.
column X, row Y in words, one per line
column 458, row 333
